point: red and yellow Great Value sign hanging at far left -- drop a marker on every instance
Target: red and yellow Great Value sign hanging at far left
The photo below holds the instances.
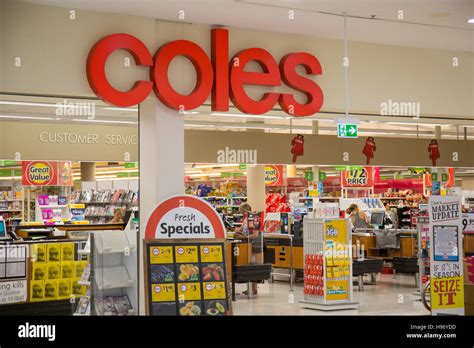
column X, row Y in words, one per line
column 45, row 173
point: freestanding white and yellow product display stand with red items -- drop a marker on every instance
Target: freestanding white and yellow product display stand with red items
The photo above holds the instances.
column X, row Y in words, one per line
column 327, row 265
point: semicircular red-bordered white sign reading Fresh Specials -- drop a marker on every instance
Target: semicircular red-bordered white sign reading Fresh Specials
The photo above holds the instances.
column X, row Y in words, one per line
column 184, row 217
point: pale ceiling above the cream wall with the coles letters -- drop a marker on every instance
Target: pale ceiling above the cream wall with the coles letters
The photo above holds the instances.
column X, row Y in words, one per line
column 426, row 23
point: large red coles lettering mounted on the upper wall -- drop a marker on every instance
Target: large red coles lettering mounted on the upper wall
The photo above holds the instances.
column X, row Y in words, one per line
column 218, row 76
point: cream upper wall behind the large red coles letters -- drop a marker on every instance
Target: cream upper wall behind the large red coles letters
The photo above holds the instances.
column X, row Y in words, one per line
column 54, row 48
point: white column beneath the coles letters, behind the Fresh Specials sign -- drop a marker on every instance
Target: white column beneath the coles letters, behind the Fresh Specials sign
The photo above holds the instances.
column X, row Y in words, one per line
column 161, row 159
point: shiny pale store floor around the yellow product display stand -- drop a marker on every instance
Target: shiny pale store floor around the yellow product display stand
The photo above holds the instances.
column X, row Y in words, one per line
column 389, row 297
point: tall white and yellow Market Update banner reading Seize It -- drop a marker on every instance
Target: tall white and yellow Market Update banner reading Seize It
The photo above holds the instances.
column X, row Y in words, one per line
column 446, row 282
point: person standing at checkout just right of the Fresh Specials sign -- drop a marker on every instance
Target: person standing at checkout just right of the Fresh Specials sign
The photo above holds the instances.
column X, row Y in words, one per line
column 254, row 237
